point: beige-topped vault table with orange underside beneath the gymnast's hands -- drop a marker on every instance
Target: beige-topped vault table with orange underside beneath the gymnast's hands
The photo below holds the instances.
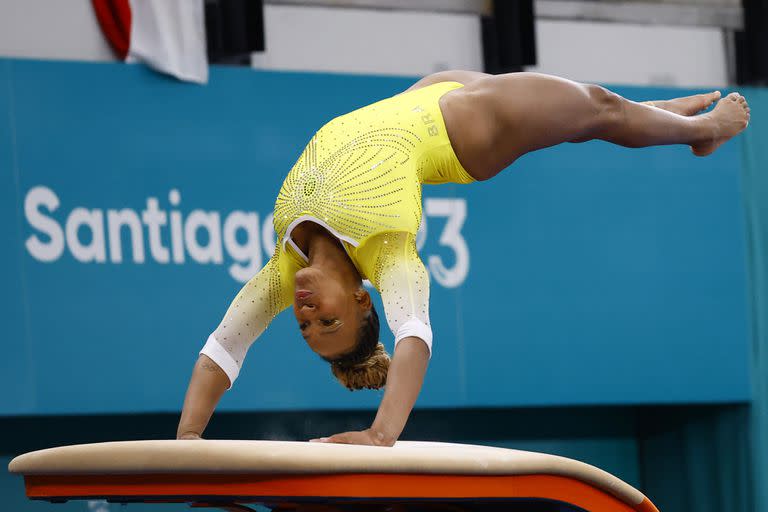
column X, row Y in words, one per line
column 319, row 476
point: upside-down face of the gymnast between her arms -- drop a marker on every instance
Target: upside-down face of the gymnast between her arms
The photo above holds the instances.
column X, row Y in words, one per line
column 328, row 314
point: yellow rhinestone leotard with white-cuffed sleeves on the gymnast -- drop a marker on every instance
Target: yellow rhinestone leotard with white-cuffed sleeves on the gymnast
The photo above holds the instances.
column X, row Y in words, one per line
column 359, row 177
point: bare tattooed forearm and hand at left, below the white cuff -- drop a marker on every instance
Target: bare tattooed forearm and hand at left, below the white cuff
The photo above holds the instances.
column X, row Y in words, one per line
column 207, row 385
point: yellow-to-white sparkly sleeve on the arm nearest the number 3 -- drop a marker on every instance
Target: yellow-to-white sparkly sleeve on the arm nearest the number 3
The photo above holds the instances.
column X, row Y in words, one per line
column 403, row 283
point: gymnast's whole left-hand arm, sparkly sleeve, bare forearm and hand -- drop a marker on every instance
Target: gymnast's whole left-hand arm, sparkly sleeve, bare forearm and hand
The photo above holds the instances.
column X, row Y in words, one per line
column 220, row 360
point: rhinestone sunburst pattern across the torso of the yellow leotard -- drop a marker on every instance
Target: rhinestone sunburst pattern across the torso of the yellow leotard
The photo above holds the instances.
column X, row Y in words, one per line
column 357, row 189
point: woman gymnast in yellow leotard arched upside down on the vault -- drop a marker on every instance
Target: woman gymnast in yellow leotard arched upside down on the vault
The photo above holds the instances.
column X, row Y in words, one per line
column 351, row 206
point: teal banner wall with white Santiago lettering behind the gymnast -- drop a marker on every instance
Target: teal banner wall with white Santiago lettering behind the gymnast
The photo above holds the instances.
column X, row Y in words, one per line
column 133, row 206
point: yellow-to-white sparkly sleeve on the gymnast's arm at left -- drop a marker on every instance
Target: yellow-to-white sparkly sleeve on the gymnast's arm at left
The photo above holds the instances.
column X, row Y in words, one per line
column 254, row 307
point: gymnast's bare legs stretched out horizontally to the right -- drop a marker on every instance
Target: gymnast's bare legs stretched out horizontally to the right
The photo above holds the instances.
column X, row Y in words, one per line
column 495, row 120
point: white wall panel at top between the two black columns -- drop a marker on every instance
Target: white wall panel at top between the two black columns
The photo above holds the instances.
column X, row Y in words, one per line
column 369, row 41
